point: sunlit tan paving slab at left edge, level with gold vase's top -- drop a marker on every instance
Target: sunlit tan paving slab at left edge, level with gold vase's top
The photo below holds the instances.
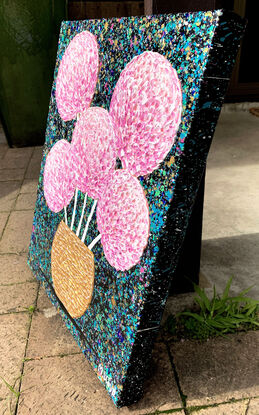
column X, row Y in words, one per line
column 16, row 236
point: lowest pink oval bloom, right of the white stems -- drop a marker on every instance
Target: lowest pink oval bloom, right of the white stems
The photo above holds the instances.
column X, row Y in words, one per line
column 123, row 220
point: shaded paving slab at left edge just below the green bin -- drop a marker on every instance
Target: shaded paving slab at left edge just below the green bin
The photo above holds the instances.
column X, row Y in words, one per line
column 16, row 158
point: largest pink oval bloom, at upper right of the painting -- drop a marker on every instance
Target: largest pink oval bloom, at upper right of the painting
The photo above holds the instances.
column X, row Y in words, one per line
column 146, row 110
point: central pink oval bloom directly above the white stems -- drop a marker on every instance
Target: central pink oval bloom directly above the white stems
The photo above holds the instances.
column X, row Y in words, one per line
column 93, row 144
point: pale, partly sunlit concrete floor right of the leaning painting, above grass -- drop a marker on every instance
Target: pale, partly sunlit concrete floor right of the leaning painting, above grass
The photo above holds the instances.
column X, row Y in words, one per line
column 231, row 215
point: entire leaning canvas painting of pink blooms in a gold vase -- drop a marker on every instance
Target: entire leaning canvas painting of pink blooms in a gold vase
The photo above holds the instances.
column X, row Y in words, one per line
column 132, row 112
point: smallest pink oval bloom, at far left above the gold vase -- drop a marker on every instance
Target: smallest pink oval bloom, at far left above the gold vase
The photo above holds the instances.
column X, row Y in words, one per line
column 58, row 176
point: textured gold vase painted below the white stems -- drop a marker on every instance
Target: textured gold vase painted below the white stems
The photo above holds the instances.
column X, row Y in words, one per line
column 72, row 268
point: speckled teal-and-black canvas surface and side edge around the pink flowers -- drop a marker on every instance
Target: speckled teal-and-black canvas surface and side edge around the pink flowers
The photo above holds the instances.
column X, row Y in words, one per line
column 117, row 330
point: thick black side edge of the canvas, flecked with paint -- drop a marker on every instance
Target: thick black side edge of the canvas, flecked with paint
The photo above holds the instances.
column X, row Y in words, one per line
column 213, row 88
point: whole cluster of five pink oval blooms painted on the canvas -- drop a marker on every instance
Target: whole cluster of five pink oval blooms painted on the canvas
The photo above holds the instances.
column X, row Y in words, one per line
column 140, row 129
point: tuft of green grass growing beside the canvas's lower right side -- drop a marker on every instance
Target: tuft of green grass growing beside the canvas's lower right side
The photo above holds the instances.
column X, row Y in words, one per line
column 218, row 316
